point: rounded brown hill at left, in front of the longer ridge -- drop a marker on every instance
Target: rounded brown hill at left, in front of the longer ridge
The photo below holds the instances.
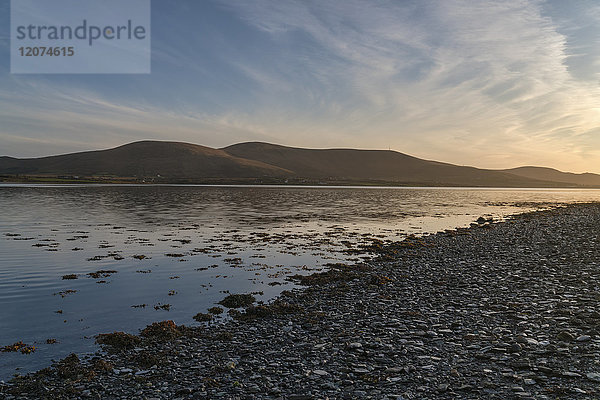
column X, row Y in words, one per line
column 148, row 158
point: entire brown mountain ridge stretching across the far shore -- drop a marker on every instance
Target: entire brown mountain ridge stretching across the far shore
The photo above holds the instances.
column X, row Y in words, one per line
column 257, row 161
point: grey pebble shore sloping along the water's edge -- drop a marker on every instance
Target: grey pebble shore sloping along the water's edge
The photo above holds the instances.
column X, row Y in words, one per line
column 496, row 311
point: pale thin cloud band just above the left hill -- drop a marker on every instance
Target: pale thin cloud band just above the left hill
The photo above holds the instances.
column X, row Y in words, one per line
column 77, row 120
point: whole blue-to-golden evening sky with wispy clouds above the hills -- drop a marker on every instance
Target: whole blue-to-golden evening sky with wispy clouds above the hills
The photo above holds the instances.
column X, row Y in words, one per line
column 492, row 84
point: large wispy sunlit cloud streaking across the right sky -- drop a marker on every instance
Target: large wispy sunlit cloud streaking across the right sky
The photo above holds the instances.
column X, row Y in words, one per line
column 452, row 80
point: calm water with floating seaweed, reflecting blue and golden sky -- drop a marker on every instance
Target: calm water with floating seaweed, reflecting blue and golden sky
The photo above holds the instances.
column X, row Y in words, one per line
column 198, row 244
